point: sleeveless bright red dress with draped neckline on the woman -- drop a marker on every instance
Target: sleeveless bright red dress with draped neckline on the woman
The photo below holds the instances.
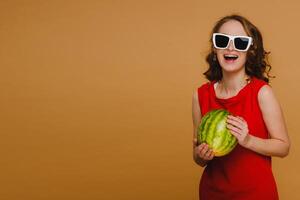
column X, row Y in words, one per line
column 242, row 174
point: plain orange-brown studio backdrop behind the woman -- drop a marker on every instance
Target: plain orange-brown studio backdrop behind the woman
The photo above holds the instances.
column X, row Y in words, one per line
column 96, row 95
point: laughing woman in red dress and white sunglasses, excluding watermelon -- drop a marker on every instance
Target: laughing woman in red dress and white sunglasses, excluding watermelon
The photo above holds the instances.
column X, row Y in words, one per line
column 238, row 75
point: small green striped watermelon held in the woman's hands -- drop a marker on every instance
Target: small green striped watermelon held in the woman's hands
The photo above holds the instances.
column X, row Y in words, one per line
column 213, row 131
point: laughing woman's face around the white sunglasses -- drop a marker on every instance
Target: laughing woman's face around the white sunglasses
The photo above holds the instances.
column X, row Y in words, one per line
column 228, row 64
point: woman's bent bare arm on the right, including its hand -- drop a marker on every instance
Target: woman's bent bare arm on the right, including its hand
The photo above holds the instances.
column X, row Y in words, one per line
column 278, row 144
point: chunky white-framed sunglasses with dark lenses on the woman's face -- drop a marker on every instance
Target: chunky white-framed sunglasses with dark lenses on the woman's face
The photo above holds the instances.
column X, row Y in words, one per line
column 240, row 42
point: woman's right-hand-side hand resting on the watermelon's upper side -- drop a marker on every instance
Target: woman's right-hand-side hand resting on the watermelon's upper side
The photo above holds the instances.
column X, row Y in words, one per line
column 239, row 128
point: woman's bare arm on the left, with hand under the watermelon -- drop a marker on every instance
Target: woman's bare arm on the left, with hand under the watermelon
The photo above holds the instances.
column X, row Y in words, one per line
column 201, row 154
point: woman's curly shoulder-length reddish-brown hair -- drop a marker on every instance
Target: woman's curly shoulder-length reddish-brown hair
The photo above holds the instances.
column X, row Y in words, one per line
column 256, row 65
